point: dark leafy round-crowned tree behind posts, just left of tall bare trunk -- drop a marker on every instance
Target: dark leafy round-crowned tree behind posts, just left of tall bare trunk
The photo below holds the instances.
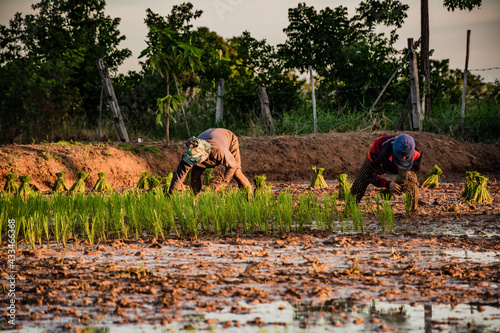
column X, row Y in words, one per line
column 345, row 52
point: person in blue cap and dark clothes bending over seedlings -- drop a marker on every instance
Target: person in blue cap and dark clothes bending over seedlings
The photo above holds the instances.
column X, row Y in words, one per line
column 389, row 154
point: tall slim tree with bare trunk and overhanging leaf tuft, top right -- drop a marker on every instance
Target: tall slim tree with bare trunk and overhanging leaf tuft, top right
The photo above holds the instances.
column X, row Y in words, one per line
column 425, row 35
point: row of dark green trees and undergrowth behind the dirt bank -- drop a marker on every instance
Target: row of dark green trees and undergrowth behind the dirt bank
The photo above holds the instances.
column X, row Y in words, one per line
column 50, row 88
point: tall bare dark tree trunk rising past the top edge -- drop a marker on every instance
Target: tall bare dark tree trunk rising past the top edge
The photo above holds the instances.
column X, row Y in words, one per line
column 424, row 60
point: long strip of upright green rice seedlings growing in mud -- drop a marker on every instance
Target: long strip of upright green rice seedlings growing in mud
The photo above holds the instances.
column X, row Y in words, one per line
column 135, row 214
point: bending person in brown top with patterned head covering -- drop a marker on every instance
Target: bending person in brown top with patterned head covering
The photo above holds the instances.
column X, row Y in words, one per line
column 215, row 146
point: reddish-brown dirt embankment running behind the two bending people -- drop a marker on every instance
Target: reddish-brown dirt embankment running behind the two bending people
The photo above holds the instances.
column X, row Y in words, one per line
column 280, row 158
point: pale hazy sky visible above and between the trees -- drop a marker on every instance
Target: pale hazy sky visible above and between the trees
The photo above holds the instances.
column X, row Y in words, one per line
column 266, row 20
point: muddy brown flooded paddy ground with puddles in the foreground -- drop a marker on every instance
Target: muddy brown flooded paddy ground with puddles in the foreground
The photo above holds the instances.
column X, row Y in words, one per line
column 439, row 271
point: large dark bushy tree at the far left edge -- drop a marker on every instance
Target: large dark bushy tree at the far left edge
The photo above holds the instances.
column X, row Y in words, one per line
column 54, row 51
